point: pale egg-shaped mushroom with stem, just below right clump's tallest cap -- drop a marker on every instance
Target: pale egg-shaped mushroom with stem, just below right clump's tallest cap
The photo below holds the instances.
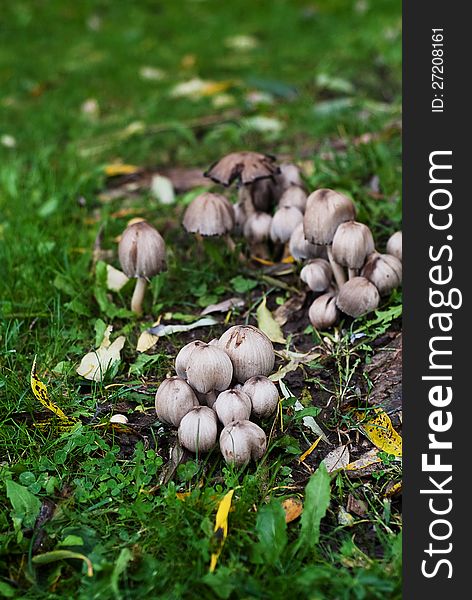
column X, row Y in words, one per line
column 352, row 243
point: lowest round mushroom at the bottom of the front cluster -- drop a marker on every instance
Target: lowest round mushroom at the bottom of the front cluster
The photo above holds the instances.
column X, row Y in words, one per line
column 242, row 441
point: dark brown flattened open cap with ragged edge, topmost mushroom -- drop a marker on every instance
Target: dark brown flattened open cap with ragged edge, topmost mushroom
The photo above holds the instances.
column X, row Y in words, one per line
column 245, row 167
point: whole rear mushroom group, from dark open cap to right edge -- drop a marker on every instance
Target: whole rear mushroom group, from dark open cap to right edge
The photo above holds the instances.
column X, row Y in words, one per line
column 342, row 265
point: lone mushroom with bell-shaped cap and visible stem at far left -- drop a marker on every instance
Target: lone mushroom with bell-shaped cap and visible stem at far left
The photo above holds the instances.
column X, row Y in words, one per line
column 142, row 254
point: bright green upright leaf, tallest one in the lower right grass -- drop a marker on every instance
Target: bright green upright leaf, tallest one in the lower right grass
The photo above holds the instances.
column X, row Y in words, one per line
column 317, row 496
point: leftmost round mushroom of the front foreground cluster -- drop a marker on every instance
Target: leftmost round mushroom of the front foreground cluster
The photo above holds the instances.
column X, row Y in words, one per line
column 174, row 399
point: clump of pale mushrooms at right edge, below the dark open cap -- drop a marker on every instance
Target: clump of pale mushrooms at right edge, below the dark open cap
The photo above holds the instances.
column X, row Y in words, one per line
column 355, row 275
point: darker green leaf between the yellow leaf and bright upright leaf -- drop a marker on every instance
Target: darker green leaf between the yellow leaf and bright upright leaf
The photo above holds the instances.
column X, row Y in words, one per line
column 272, row 531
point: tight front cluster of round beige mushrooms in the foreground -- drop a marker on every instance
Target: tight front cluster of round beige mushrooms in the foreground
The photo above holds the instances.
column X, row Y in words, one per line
column 219, row 386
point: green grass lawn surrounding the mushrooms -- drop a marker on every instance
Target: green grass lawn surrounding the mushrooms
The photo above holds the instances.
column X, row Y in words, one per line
column 333, row 71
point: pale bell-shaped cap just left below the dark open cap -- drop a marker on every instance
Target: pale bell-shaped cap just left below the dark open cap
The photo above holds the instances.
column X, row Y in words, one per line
column 209, row 214
